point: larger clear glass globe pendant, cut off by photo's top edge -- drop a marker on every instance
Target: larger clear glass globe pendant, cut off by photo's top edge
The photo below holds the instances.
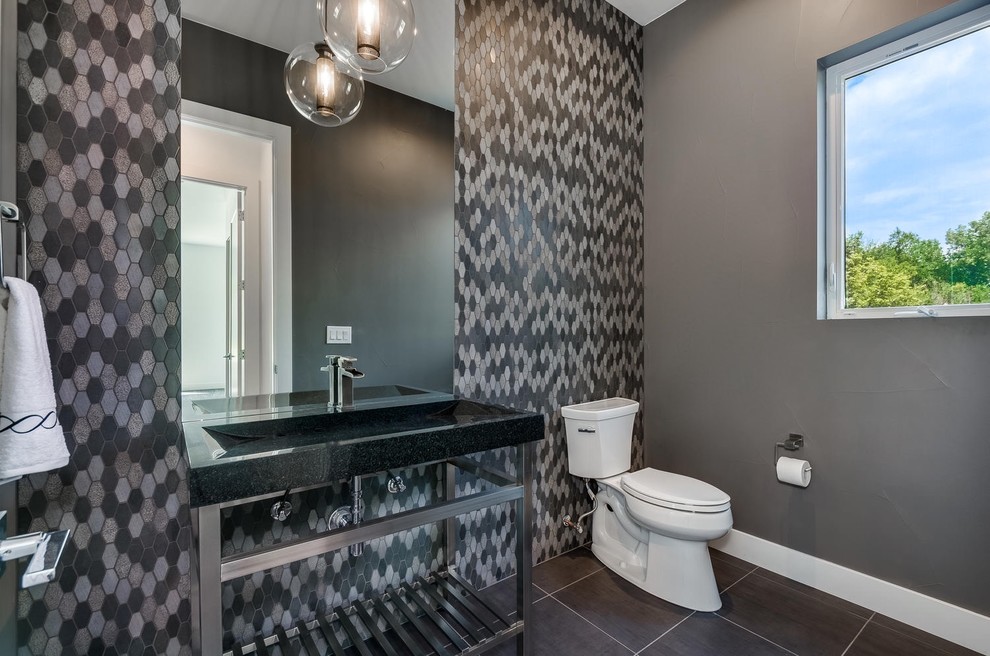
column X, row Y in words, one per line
column 373, row 36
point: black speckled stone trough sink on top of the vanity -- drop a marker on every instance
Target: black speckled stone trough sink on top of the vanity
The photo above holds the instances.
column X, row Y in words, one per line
column 231, row 460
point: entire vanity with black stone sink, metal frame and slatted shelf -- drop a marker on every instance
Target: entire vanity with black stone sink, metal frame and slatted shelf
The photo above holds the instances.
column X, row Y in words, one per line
column 351, row 446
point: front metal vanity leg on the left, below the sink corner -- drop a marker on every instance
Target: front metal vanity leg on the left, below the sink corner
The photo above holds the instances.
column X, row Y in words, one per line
column 208, row 614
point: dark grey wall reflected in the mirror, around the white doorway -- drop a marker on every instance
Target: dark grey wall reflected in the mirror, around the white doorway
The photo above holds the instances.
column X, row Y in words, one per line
column 372, row 216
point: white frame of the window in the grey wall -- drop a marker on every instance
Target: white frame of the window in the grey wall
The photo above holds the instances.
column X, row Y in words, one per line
column 832, row 228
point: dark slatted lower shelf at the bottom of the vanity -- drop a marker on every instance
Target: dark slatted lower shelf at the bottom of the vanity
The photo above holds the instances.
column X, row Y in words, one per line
column 440, row 614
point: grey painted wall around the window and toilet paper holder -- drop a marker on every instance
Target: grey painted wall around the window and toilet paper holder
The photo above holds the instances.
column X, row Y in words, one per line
column 895, row 411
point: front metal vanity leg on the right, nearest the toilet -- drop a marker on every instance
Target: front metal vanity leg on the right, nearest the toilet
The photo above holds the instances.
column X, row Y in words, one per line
column 524, row 549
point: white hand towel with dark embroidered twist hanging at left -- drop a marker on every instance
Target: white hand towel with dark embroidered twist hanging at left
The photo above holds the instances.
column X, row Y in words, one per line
column 31, row 439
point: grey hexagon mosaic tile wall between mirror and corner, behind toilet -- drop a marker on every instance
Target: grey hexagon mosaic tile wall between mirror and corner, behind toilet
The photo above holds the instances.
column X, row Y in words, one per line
column 549, row 235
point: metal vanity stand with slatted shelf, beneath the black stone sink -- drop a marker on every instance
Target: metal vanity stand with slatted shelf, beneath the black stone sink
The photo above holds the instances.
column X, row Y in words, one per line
column 413, row 619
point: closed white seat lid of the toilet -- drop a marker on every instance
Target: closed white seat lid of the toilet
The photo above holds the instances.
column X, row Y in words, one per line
column 669, row 490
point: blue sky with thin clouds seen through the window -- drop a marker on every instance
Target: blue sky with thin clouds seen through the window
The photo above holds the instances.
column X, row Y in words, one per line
column 918, row 142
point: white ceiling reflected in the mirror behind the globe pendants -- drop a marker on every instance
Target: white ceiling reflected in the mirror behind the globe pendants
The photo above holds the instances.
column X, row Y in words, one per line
column 427, row 74
